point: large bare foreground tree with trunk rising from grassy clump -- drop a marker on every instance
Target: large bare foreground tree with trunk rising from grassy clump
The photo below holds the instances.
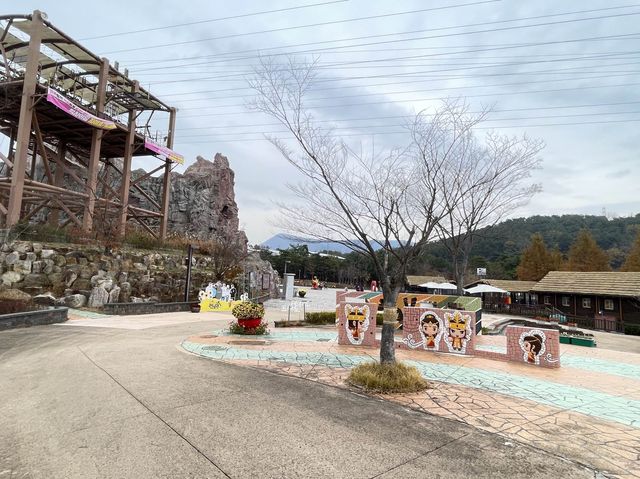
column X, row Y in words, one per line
column 384, row 206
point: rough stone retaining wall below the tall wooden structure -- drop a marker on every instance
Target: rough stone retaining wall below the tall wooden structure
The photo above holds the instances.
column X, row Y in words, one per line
column 79, row 276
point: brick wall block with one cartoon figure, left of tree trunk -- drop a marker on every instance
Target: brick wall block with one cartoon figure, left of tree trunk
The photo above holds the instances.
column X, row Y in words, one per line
column 357, row 324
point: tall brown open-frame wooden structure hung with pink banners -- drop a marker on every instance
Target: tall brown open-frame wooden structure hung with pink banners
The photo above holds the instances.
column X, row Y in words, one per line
column 83, row 122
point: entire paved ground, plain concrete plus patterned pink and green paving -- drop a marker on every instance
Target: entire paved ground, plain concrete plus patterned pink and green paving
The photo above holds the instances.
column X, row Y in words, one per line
column 175, row 395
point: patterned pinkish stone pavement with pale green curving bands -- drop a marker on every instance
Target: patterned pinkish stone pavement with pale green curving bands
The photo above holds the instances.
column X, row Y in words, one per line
column 587, row 411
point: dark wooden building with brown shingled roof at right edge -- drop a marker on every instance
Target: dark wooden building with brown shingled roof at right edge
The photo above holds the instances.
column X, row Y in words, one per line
column 608, row 294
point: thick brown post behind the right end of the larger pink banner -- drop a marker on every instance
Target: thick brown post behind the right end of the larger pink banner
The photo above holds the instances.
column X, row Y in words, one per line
column 94, row 156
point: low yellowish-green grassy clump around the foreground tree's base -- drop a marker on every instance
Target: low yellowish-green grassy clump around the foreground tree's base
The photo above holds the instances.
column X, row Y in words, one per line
column 387, row 378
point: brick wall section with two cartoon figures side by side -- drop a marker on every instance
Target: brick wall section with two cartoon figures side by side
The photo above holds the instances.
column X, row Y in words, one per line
column 444, row 330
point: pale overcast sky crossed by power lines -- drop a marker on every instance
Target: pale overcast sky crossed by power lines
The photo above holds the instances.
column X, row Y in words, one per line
column 566, row 72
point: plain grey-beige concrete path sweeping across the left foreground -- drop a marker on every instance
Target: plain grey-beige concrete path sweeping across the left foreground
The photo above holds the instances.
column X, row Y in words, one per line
column 89, row 401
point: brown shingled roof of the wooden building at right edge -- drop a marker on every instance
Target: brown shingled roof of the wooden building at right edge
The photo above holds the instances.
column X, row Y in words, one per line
column 606, row 283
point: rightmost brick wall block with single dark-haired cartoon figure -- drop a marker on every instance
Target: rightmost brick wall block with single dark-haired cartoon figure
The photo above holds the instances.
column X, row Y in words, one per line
column 536, row 346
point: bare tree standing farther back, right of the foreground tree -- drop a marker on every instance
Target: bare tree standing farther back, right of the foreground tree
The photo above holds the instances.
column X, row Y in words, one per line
column 485, row 181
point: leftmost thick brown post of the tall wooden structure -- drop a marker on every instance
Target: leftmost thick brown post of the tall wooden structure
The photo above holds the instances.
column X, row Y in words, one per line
column 24, row 121
